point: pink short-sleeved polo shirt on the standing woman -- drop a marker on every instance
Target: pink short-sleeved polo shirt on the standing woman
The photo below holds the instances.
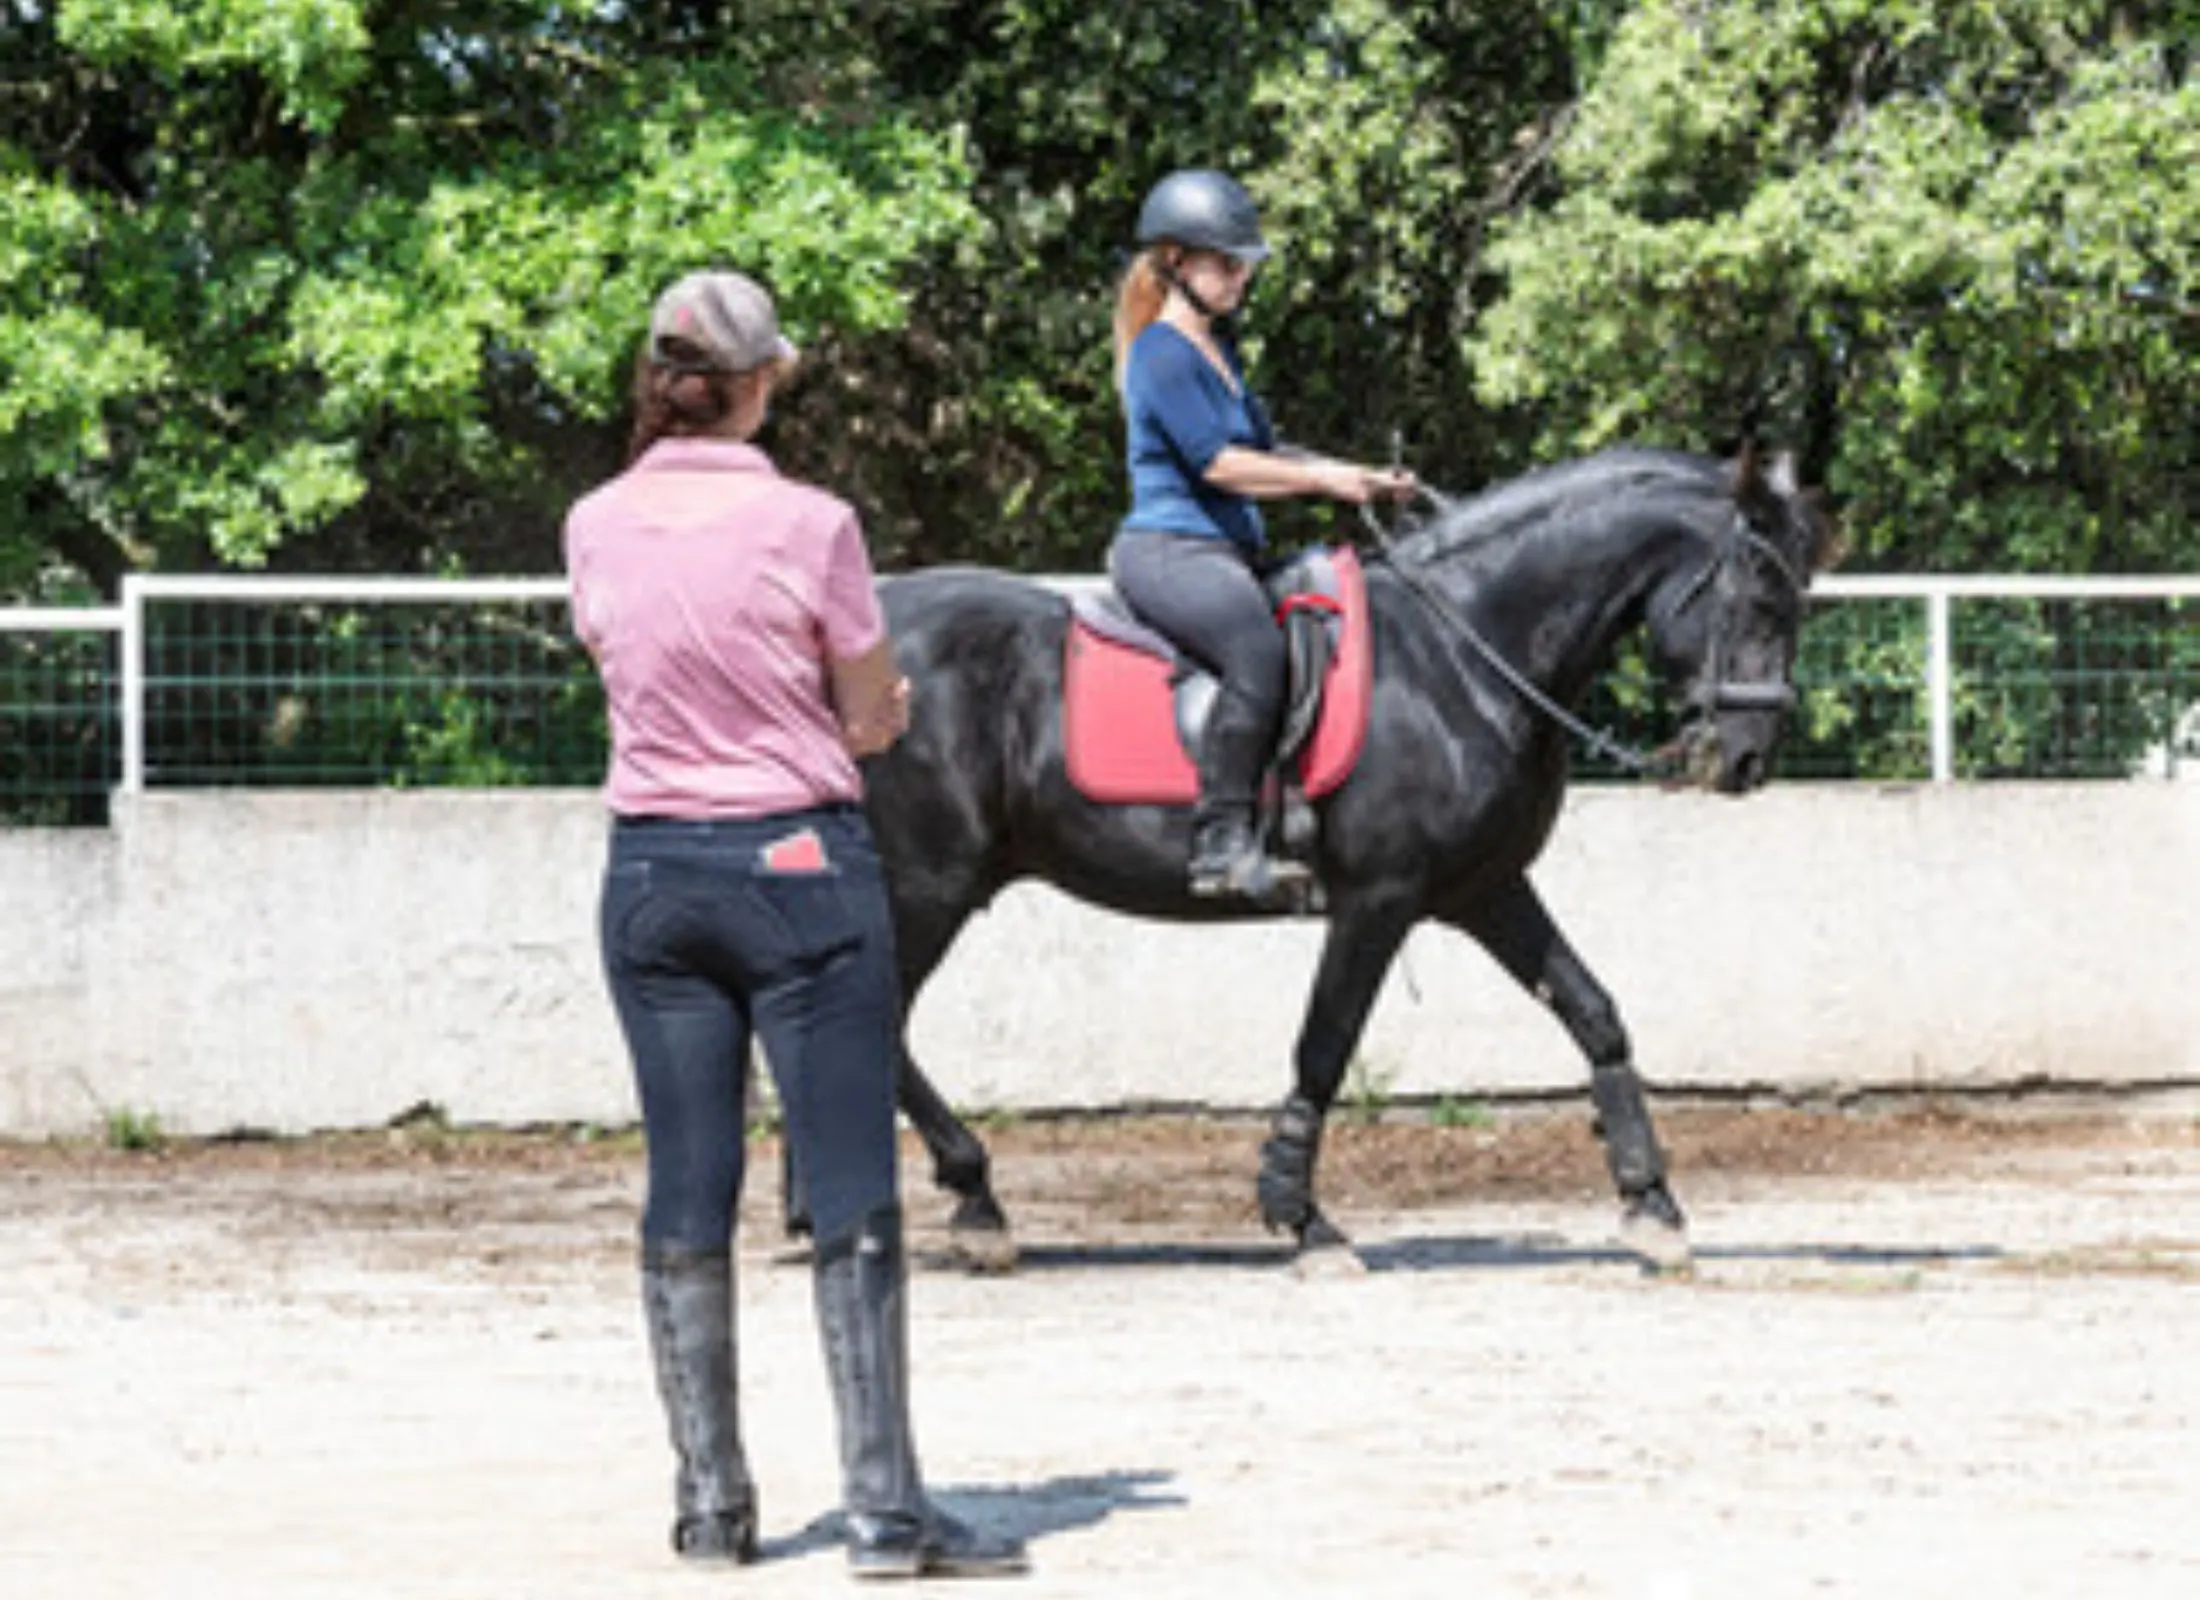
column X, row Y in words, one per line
column 712, row 593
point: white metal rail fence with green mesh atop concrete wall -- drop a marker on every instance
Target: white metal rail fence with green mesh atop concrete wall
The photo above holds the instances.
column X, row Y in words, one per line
column 1917, row 666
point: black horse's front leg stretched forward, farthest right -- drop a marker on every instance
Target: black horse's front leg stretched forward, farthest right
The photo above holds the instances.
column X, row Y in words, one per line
column 1519, row 932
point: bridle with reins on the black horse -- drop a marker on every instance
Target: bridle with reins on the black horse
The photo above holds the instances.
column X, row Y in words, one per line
column 1710, row 692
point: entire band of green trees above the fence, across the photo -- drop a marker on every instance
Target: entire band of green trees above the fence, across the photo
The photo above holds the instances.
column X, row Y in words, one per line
column 340, row 285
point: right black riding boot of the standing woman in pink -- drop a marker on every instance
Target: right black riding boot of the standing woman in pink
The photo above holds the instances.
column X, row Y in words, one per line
column 863, row 1319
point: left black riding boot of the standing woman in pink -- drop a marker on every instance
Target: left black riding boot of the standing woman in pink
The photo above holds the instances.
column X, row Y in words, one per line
column 687, row 1300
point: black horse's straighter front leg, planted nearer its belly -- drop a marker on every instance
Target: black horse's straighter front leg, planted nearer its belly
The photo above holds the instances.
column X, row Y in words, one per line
column 1356, row 954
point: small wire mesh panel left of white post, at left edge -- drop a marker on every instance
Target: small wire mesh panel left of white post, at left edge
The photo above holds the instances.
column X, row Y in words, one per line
column 60, row 723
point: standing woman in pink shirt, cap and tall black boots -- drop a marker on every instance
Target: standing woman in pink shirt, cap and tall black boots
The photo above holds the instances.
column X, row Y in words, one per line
column 745, row 668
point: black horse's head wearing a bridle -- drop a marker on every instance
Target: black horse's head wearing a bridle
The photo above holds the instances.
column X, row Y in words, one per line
column 1724, row 628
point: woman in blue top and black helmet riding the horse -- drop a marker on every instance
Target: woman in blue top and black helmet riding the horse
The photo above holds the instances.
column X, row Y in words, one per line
column 1202, row 452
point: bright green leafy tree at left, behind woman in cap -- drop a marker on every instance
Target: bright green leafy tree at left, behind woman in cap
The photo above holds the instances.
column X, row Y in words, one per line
column 360, row 285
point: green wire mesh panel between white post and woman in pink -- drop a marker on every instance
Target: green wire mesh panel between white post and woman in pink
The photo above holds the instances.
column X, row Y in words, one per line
column 368, row 692
